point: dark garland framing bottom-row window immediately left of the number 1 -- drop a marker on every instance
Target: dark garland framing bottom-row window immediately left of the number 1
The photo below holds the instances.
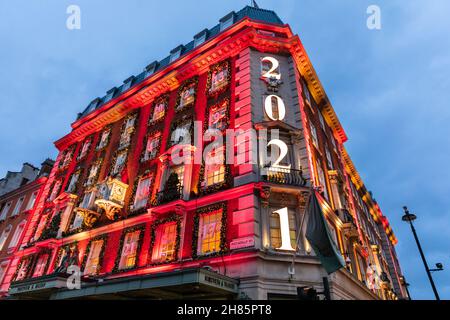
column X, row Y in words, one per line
column 223, row 229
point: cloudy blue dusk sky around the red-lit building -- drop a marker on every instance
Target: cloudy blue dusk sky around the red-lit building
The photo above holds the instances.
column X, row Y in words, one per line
column 390, row 88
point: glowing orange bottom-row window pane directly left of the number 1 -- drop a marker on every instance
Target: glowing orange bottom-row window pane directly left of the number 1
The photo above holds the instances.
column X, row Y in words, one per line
column 209, row 232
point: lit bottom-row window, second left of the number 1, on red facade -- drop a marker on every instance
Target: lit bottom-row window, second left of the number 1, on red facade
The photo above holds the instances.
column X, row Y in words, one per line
column 165, row 242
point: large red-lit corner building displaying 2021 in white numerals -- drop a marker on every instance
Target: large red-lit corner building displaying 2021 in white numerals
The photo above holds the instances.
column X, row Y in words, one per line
column 119, row 206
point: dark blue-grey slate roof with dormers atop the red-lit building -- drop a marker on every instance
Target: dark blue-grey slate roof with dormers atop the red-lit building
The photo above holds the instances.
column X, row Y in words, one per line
column 253, row 13
